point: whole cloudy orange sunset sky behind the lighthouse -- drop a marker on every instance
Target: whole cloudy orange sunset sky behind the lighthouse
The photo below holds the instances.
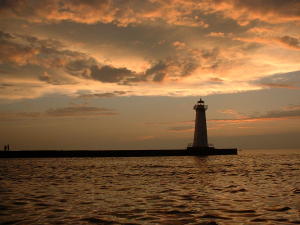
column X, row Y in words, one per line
column 125, row 74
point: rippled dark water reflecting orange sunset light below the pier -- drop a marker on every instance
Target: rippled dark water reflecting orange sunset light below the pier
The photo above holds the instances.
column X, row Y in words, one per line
column 255, row 187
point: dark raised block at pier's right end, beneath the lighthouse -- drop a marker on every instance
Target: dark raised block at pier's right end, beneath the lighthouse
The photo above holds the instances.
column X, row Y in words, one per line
column 211, row 151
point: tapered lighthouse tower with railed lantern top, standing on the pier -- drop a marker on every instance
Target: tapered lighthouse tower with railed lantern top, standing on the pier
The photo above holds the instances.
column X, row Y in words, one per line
column 200, row 135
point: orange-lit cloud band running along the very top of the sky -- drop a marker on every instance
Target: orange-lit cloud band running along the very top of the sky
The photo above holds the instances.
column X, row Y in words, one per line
column 123, row 13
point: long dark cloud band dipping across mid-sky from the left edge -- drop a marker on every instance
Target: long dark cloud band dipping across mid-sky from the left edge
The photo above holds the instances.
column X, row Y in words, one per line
column 61, row 64
